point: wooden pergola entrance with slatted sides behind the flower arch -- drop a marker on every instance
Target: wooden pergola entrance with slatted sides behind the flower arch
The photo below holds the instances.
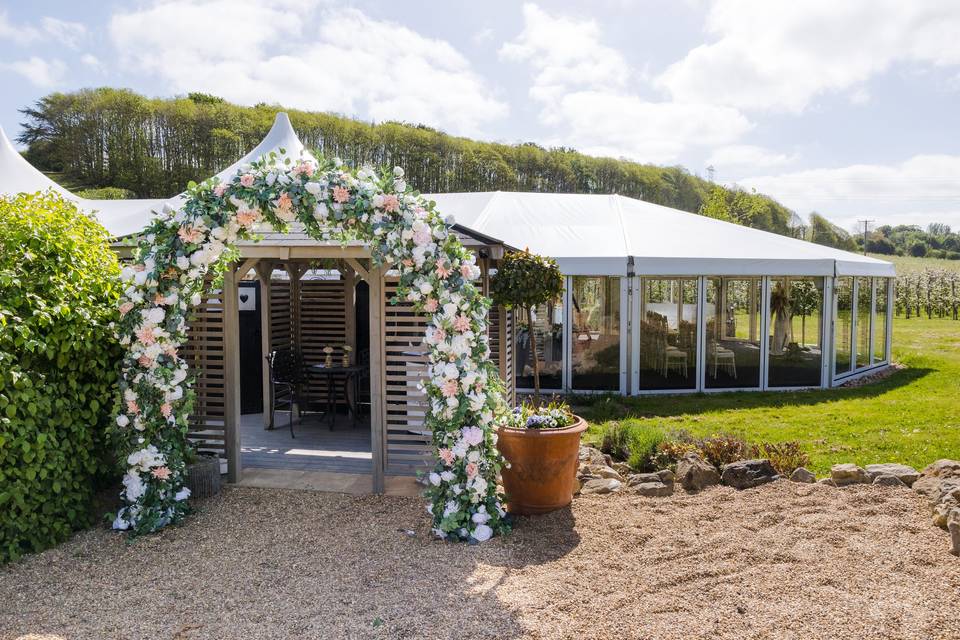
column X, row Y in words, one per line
column 308, row 314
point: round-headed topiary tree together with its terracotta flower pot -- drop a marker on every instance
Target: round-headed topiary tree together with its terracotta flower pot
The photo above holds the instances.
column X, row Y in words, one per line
column 541, row 443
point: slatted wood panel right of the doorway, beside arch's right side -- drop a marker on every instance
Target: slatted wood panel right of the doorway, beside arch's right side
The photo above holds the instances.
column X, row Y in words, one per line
column 407, row 442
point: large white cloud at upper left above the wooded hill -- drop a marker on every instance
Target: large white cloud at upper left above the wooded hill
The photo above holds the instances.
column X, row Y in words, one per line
column 310, row 58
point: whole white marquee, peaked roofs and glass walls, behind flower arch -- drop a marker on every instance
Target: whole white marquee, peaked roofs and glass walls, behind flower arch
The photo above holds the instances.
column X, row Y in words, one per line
column 657, row 299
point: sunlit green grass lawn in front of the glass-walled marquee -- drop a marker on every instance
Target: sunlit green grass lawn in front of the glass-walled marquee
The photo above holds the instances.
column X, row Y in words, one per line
column 911, row 417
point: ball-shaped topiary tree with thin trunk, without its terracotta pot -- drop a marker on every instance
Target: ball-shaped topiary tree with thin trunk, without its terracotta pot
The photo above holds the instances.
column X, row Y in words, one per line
column 525, row 280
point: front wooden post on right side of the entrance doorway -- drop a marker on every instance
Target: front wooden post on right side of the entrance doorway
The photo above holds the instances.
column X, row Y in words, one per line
column 377, row 378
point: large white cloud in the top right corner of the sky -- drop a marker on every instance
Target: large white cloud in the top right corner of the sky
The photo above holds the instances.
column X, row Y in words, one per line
column 781, row 55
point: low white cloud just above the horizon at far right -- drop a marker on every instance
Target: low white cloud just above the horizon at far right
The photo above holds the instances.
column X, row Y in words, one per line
column 922, row 189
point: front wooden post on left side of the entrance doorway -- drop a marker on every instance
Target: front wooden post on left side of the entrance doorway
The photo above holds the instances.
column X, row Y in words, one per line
column 231, row 373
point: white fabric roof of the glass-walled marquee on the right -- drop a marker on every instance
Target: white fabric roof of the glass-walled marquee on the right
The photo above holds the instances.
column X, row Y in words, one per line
column 601, row 235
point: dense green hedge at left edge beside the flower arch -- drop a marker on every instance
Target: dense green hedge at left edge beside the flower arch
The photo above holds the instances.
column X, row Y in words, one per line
column 58, row 366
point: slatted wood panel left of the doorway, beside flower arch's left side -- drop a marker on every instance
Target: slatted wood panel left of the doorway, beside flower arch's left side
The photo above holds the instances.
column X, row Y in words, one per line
column 204, row 353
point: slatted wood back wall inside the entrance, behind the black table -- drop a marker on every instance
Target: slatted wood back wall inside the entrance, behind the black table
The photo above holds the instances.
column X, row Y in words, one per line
column 322, row 323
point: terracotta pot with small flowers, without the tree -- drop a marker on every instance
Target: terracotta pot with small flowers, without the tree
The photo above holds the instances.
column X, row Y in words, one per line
column 542, row 445
